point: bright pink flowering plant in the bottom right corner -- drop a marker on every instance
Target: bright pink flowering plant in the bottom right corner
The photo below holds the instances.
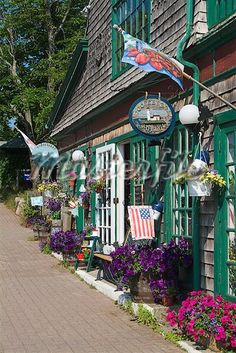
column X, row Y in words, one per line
column 206, row 320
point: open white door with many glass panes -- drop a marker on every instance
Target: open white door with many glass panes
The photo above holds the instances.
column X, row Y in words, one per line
column 106, row 201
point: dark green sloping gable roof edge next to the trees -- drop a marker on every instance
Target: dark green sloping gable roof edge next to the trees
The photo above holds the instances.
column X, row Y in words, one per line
column 72, row 78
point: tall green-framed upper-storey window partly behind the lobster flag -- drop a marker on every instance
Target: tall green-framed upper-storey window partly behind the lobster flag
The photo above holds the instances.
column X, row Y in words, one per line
column 133, row 16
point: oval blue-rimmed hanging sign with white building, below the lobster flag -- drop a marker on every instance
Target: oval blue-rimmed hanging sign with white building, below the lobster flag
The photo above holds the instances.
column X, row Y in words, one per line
column 152, row 117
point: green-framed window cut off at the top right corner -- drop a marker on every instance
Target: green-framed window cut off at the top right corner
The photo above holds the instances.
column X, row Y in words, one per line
column 219, row 10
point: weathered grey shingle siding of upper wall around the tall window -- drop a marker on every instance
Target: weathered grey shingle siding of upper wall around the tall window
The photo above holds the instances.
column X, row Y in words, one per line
column 96, row 87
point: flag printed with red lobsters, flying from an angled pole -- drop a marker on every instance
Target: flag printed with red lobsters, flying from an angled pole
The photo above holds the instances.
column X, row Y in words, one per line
column 140, row 54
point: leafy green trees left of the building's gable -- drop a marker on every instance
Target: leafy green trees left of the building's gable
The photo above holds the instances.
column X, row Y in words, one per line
column 37, row 38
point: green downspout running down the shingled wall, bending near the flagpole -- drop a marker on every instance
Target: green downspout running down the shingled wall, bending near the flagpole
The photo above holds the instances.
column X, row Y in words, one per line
column 196, row 95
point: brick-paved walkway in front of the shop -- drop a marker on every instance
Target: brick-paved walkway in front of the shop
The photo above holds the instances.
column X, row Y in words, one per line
column 46, row 309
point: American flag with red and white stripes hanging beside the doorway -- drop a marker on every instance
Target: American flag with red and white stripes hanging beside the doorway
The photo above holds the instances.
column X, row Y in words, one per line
column 141, row 222
